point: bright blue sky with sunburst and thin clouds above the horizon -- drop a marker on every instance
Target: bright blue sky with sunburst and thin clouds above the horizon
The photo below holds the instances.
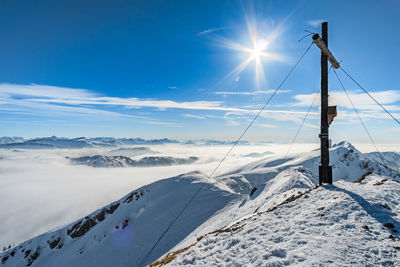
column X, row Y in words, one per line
column 157, row 69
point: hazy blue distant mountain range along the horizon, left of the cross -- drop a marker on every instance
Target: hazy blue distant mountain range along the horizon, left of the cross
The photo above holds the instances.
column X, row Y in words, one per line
column 83, row 142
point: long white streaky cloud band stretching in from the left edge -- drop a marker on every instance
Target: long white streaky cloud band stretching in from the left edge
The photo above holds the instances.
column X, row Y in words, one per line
column 69, row 99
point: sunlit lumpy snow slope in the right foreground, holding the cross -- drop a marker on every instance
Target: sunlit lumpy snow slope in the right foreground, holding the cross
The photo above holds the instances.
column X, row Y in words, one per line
column 345, row 224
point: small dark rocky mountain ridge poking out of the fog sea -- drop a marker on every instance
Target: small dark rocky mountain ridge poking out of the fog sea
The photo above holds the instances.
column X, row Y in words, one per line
column 122, row 161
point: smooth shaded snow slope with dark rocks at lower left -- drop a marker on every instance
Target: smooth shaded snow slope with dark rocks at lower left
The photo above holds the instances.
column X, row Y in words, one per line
column 120, row 233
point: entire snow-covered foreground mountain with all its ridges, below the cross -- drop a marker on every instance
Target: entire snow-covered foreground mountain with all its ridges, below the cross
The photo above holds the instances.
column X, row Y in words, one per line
column 268, row 212
